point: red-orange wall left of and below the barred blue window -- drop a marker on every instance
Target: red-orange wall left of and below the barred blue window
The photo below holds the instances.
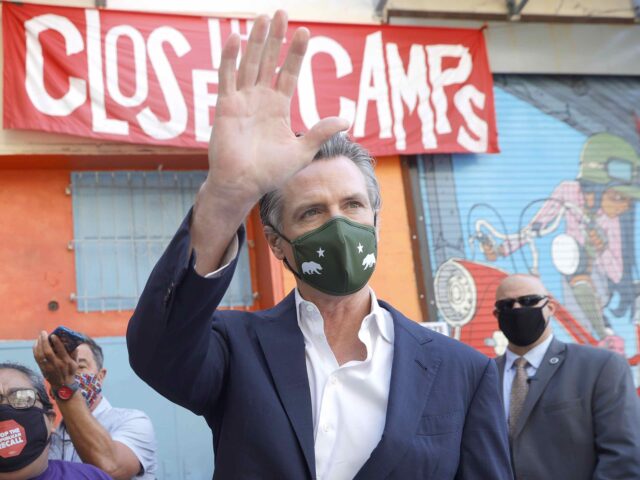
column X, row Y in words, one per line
column 35, row 227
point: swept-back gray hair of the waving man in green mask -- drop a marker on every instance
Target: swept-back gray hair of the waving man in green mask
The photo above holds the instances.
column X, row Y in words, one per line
column 339, row 145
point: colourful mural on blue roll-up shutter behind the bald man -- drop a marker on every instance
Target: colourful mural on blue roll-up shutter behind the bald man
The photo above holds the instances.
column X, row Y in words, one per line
column 559, row 202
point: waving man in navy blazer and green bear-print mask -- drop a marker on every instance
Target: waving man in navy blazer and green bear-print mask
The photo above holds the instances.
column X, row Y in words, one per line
column 331, row 383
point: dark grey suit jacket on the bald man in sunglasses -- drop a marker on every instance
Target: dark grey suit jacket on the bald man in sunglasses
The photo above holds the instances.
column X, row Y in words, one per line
column 580, row 419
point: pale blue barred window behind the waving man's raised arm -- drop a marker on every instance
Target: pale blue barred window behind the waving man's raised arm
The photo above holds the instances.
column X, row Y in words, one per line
column 122, row 222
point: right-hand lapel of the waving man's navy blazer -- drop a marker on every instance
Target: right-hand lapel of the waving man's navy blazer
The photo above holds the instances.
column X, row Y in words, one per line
column 413, row 372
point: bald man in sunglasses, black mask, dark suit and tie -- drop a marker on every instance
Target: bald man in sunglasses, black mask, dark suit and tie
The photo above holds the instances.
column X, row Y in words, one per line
column 571, row 409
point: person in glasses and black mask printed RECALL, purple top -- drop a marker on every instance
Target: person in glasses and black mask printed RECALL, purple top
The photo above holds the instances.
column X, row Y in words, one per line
column 26, row 426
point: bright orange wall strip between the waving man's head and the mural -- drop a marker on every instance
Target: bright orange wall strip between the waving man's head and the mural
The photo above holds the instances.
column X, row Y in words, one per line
column 394, row 279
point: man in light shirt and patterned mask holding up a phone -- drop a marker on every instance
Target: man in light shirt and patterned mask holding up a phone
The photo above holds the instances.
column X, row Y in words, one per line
column 119, row 441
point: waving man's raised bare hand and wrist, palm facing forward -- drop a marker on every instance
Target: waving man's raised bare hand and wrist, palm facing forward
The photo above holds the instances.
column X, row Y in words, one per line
column 252, row 149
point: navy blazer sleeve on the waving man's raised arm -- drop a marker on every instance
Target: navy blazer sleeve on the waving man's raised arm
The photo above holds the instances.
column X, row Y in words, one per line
column 172, row 341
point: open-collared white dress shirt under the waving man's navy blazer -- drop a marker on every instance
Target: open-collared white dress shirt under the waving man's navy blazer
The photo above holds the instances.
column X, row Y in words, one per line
column 349, row 402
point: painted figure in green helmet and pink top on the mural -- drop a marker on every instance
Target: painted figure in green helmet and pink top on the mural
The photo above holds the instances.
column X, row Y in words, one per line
column 596, row 252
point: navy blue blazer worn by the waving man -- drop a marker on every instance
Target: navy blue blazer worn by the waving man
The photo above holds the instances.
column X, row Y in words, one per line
column 245, row 372
